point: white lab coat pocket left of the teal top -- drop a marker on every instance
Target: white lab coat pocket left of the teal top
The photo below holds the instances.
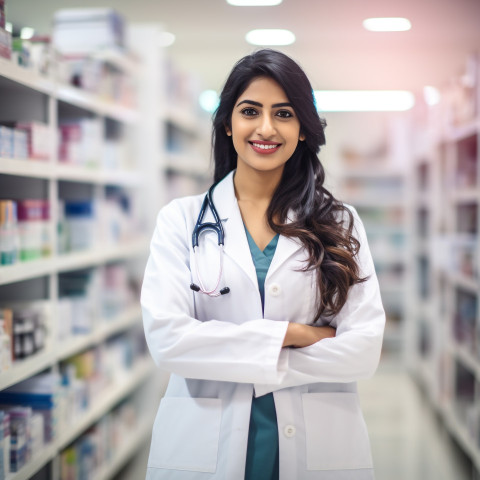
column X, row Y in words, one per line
column 185, row 434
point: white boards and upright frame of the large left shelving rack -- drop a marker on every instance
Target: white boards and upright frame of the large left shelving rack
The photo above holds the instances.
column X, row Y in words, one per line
column 49, row 98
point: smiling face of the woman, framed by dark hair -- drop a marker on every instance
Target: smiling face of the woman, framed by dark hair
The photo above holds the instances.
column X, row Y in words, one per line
column 265, row 129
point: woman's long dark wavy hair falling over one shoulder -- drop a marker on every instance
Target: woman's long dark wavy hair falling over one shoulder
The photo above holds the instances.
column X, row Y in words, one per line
column 323, row 224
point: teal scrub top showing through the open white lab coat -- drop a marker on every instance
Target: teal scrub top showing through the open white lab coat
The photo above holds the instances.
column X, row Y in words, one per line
column 262, row 448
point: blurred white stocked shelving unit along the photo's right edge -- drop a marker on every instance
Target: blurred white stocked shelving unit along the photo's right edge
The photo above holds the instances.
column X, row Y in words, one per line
column 444, row 298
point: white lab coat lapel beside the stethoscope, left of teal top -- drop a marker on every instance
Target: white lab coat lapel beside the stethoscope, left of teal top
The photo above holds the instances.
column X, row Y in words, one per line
column 236, row 243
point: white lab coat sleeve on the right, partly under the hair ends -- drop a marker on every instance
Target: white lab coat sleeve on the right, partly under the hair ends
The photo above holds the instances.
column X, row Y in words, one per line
column 354, row 352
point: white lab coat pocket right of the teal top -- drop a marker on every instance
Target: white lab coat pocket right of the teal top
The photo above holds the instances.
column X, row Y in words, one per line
column 336, row 434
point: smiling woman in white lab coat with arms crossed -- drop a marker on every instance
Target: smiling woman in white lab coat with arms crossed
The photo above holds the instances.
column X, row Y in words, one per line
column 263, row 376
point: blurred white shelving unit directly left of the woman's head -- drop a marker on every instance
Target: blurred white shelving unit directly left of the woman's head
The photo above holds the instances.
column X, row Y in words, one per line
column 175, row 137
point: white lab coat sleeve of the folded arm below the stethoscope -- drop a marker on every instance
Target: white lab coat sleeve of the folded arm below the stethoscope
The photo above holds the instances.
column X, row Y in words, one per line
column 181, row 344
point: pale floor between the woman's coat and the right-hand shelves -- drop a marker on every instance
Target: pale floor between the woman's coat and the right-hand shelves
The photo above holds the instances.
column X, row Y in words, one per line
column 408, row 441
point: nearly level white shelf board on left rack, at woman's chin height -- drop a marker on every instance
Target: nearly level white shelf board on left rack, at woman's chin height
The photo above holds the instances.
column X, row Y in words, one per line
column 65, row 172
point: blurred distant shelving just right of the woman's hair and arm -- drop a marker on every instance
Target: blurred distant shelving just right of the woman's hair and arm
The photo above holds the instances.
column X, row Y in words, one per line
column 377, row 185
